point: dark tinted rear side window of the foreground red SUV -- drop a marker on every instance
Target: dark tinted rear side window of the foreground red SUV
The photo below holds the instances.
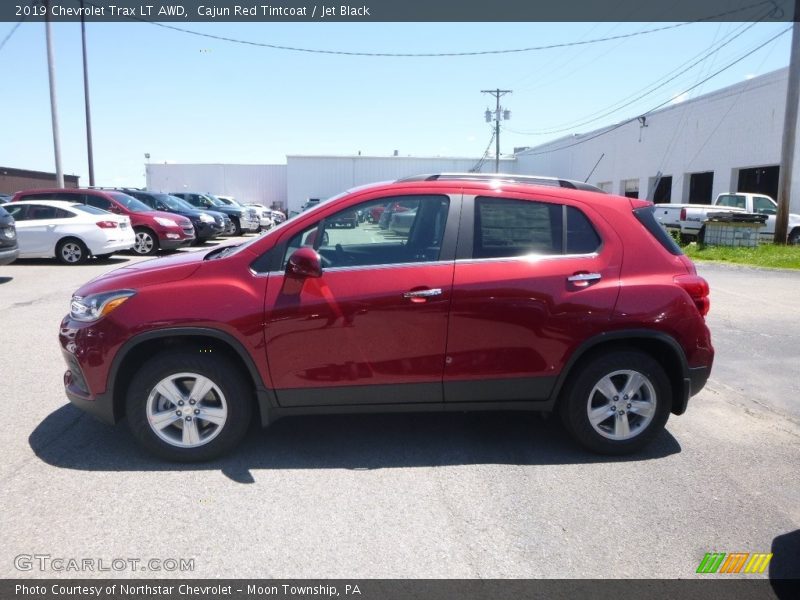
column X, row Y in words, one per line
column 507, row 228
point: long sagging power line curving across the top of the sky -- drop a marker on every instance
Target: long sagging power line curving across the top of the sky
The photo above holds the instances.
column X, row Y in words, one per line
column 773, row 11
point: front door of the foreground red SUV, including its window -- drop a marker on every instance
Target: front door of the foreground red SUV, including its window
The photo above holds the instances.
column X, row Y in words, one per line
column 373, row 327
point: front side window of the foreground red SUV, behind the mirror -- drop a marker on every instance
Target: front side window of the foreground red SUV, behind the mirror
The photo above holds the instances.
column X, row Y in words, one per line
column 395, row 230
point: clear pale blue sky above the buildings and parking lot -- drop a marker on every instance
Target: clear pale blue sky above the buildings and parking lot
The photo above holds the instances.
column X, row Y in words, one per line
column 188, row 99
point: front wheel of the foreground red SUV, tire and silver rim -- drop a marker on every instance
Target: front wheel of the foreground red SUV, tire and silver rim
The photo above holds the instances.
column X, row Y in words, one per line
column 229, row 393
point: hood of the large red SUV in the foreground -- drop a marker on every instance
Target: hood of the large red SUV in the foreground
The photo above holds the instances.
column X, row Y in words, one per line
column 146, row 273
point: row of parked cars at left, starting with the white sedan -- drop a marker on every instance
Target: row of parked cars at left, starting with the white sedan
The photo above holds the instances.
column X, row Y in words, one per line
column 74, row 224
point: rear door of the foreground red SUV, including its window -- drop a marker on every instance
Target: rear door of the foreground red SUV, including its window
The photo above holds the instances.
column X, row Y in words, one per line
column 532, row 279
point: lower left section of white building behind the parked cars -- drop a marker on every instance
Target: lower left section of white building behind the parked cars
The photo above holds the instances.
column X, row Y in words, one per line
column 263, row 184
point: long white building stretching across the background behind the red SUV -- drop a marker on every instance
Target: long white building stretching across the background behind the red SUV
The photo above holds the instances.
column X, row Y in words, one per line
column 727, row 140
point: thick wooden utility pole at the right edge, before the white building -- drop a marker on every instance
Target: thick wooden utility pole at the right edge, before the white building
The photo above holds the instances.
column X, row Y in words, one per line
column 789, row 133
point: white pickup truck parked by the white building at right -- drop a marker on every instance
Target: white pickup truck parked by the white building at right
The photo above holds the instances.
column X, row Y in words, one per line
column 687, row 219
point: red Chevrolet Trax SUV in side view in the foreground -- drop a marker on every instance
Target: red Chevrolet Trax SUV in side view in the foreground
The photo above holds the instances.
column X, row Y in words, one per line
column 504, row 293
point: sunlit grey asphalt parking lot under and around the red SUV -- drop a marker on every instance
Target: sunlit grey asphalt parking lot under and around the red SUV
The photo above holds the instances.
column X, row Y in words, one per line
column 426, row 496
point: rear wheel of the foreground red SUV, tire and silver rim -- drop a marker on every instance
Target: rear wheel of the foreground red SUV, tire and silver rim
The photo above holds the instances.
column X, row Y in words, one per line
column 580, row 395
